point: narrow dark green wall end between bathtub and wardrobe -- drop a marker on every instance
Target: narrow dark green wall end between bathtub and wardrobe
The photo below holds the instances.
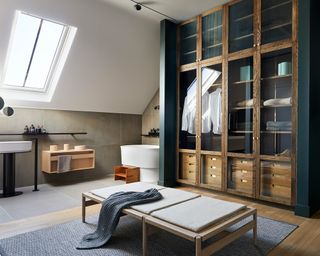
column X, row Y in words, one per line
column 168, row 90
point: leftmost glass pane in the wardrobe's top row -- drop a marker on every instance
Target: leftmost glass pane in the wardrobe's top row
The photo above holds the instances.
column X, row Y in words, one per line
column 188, row 43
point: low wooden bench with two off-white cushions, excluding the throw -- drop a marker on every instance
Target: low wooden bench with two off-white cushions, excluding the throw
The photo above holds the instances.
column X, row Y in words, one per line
column 185, row 214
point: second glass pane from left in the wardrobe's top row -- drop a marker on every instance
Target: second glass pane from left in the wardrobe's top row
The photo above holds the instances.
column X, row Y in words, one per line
column 212, row 35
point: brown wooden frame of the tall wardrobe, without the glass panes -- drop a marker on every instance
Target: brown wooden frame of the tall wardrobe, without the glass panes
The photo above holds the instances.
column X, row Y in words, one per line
column 256, row 52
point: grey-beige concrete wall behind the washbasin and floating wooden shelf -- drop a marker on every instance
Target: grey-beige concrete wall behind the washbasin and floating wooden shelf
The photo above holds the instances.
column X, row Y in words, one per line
column 106, row 132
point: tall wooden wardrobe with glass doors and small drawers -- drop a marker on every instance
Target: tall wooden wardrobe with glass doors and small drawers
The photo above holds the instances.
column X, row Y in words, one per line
column 237, row 99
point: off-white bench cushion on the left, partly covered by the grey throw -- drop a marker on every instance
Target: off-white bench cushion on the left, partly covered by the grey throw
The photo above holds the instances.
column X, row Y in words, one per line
column 136, row 187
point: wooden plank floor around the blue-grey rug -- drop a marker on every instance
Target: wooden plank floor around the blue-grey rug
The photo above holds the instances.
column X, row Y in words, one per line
column 303, row 241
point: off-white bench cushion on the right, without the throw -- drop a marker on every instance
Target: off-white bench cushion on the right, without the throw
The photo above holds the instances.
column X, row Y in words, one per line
column 198, row 213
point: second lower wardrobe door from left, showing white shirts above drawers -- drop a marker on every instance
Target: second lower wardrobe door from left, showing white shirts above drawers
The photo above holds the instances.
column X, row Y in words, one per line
column 211, row 125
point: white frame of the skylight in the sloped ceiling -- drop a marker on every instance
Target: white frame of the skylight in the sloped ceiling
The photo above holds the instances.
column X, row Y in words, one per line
column 54, row 62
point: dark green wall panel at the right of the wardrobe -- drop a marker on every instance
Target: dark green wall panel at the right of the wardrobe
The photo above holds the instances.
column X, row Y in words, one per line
column 308, row 173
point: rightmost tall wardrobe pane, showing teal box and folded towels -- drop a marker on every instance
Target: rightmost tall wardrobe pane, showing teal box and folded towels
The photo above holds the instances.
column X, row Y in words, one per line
column 276, row 101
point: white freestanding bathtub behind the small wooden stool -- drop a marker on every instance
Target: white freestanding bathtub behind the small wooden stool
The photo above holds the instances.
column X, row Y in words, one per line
column 146, row 157
